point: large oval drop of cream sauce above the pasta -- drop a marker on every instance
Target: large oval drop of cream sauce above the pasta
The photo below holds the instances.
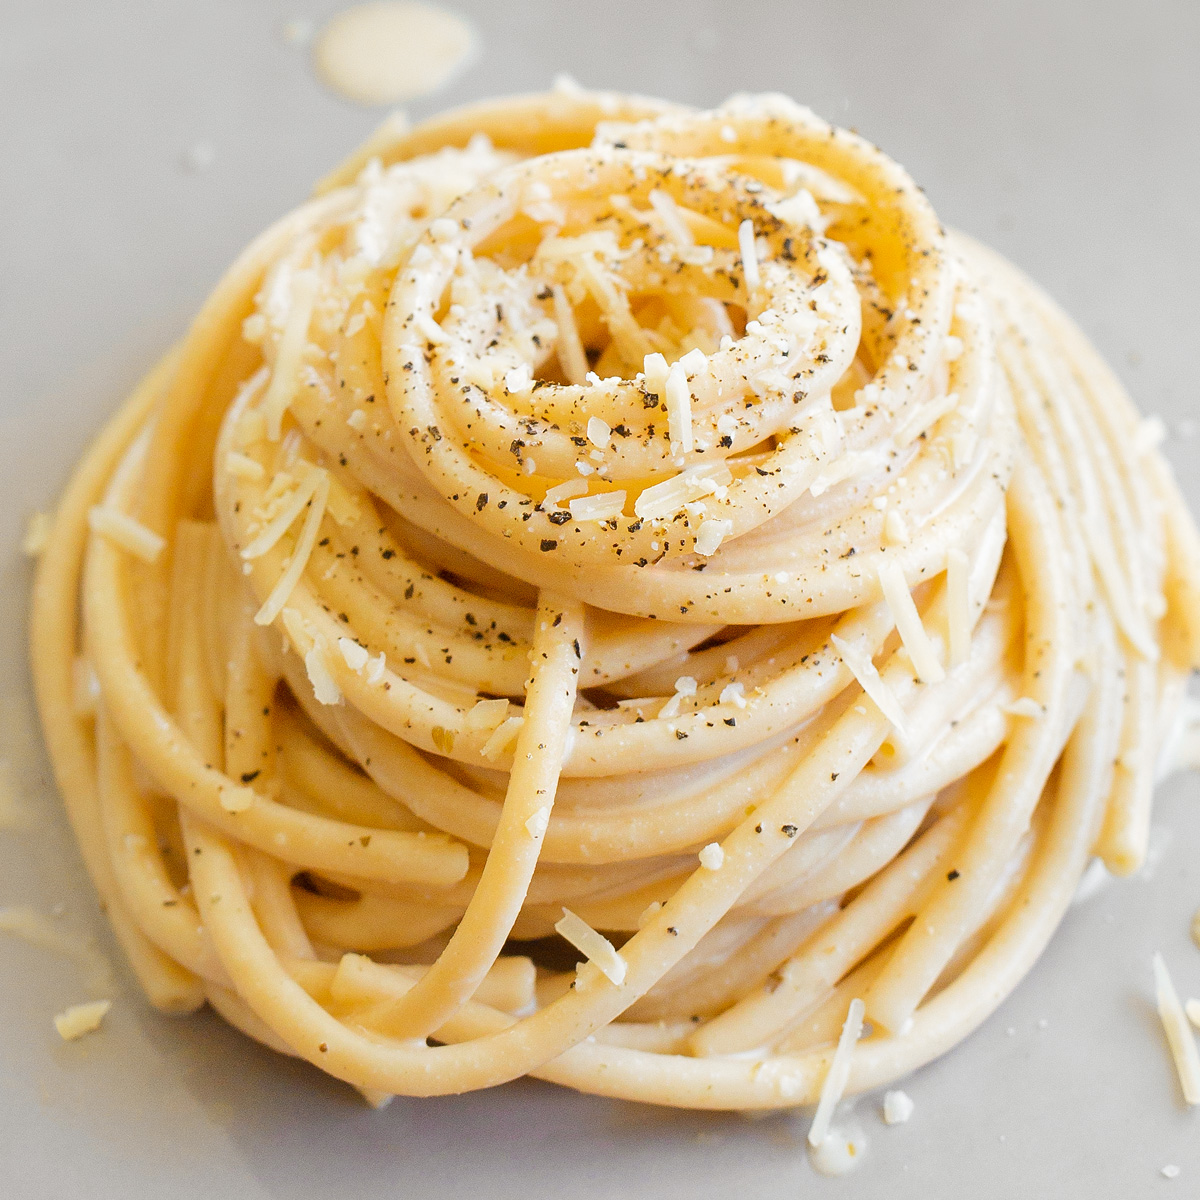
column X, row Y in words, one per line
column 387, row 52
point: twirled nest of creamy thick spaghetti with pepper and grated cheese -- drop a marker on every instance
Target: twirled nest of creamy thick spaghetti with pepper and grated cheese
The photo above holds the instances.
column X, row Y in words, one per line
column 575, row 487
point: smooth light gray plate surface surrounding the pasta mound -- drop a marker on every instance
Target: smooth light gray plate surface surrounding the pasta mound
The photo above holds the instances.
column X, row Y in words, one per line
column 1061, row 133
